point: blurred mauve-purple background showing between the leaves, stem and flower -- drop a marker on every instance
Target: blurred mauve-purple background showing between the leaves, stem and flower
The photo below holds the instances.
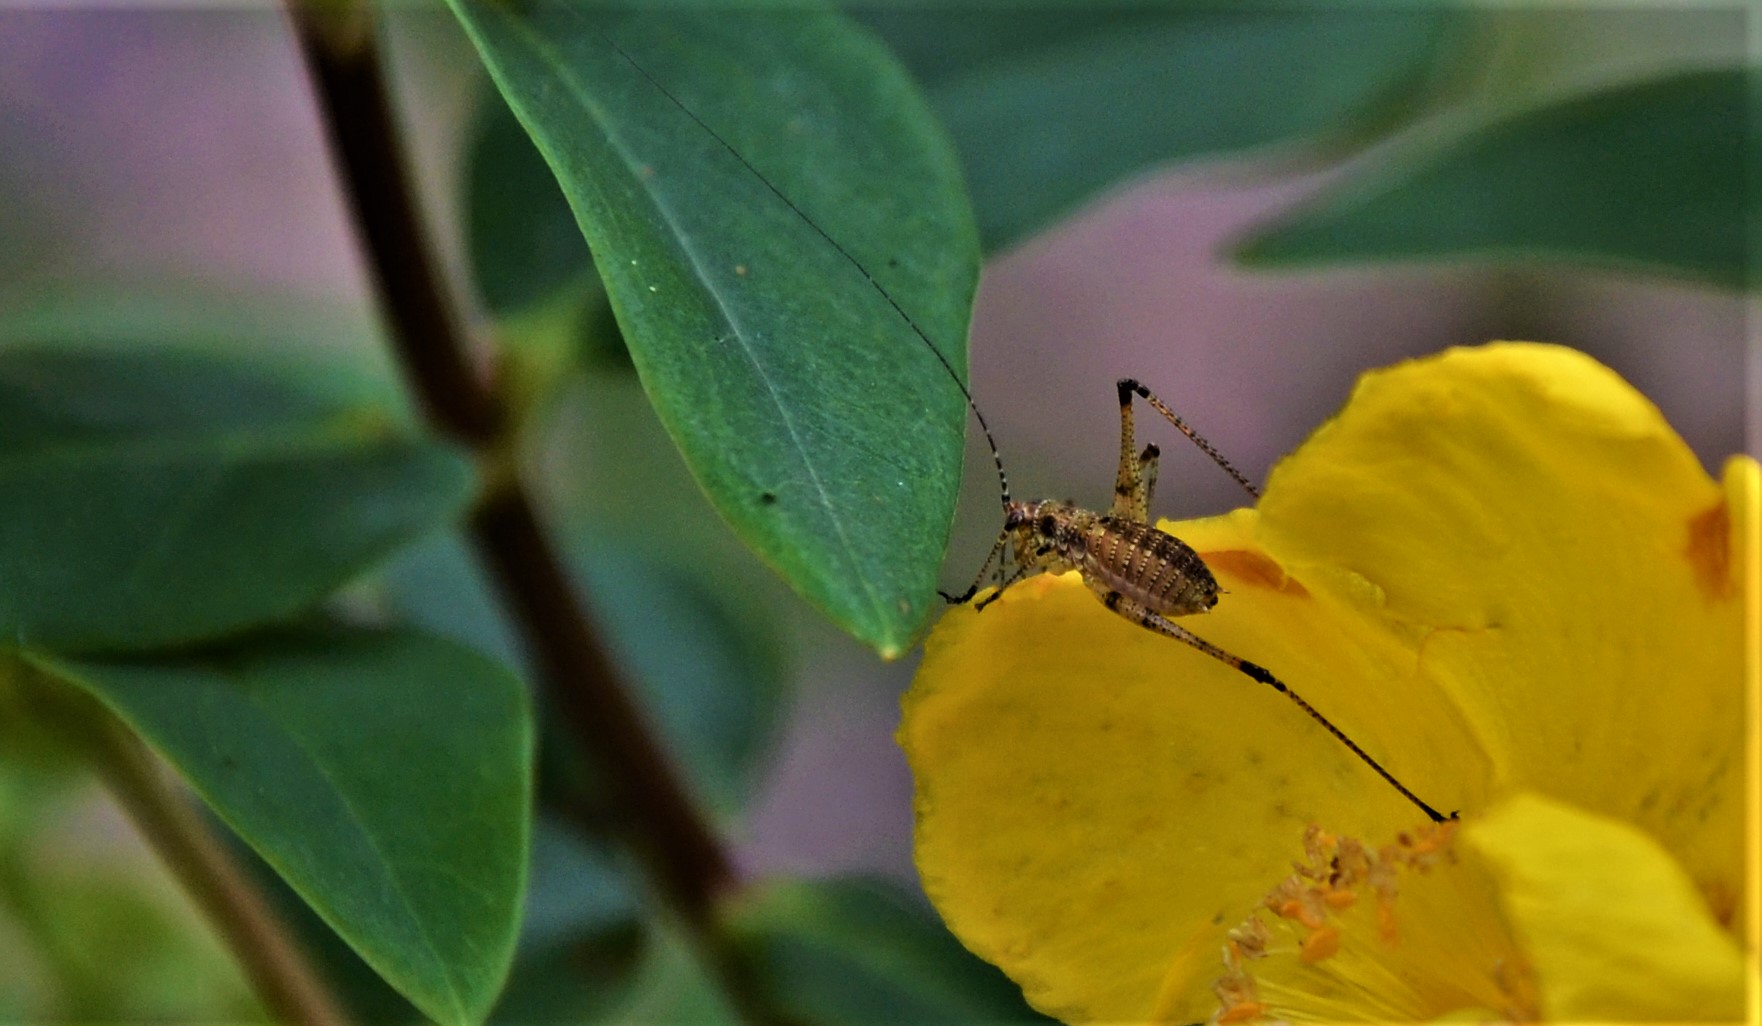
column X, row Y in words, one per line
column 179, row 149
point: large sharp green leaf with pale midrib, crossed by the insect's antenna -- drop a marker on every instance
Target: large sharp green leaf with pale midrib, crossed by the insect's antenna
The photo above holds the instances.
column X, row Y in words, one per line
column 822, row 427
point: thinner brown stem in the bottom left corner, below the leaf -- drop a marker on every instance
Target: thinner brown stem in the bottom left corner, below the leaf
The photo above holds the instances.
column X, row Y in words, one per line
column 274, row 963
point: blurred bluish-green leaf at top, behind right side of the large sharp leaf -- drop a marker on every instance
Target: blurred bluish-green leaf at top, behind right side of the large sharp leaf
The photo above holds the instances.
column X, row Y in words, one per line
column 1051, row 105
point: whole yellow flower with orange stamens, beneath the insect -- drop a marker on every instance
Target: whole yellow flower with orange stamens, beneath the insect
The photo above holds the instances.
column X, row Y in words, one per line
column 1509, row 581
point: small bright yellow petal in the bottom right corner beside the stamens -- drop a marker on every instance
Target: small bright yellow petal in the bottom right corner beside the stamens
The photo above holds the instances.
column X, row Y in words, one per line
column 1611, row 925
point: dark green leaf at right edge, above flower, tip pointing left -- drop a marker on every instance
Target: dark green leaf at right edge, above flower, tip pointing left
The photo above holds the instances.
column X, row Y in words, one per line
column 1647, row 177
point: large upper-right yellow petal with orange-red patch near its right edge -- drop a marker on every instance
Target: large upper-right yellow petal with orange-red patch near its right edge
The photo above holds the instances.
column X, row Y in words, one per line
column 1573, row 572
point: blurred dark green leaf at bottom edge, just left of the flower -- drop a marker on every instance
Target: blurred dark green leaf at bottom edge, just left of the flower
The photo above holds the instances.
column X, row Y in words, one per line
column 864, row 951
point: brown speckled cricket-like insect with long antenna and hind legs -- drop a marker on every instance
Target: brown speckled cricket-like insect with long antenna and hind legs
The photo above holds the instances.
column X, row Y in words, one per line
column 1137, row 572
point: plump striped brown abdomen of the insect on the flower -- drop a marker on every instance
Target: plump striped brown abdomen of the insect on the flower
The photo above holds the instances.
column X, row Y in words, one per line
column 1151, row 569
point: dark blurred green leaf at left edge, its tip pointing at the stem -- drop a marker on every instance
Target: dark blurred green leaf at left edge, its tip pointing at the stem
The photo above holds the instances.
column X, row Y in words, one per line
column 167, row 498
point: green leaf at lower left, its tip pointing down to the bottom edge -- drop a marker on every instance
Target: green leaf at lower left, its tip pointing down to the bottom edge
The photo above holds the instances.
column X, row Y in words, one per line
column 387, row 777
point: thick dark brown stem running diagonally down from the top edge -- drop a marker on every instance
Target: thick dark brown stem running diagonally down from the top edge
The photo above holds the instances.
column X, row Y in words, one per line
column 649, row 801
